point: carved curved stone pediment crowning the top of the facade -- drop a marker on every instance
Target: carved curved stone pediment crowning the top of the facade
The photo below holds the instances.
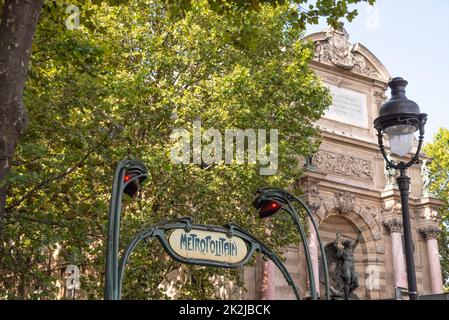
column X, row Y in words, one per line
column 333, row 47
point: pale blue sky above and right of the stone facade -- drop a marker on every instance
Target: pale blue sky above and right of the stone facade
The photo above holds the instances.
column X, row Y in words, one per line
column 411, row 38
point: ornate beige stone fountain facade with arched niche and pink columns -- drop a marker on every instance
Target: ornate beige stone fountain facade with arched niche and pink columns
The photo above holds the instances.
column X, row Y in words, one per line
column 352, row 192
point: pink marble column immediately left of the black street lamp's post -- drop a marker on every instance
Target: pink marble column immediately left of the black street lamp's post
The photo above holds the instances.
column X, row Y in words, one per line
column 394, row 225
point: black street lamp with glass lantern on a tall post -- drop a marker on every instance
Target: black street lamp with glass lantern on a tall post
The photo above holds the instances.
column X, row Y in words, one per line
column 400, row 118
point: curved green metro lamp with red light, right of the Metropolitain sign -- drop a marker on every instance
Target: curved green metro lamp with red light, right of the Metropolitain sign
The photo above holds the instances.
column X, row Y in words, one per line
column 269, row 201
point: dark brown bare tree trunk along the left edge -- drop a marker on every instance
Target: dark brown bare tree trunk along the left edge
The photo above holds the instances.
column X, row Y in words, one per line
column 18, row 24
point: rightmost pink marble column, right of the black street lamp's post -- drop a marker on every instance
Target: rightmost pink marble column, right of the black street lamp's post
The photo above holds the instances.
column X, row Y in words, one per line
column 436, row 279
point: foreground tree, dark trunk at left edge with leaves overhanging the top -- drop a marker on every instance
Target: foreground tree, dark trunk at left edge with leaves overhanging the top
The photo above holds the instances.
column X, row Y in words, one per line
column 18, row 23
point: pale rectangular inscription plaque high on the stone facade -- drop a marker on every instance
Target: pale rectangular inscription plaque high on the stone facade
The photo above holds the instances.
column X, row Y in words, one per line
column 348, row 106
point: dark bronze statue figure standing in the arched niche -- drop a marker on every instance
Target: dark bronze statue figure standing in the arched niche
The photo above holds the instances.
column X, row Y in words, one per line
column 344, row 279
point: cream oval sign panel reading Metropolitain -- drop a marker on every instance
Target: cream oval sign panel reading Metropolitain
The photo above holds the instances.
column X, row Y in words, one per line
column 208, row 245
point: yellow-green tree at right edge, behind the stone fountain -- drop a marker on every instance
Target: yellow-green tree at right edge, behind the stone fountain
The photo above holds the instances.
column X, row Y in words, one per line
column 438, row 150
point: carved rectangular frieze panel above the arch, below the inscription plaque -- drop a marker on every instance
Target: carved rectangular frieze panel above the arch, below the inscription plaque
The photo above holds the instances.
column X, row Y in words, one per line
column 330, row 162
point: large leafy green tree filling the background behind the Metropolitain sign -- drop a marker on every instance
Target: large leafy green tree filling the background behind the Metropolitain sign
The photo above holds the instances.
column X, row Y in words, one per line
column 117, row 87
